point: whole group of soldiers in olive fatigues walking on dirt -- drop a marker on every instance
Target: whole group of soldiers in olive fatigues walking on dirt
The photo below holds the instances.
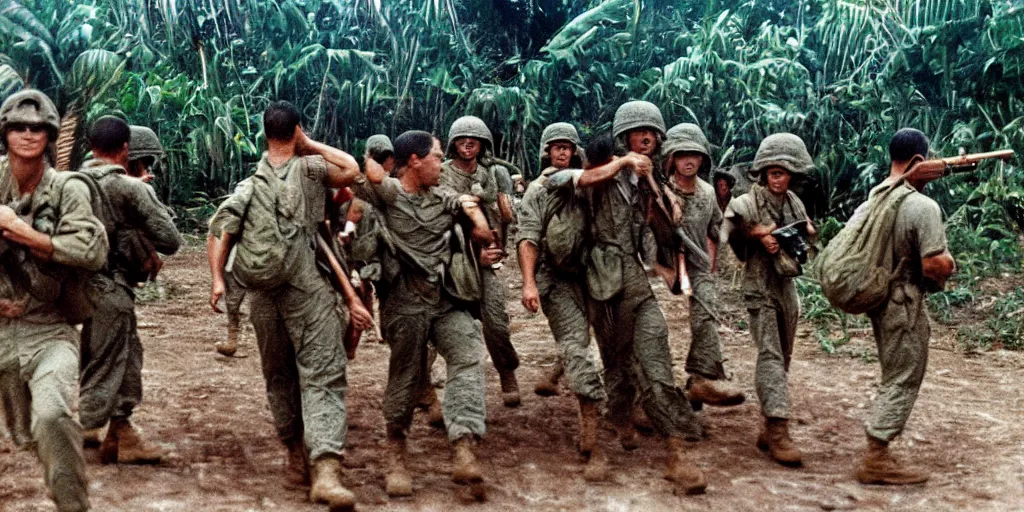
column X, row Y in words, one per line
column 429, row 225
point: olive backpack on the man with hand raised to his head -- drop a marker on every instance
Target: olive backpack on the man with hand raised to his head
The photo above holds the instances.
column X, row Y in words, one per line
column 268, row 253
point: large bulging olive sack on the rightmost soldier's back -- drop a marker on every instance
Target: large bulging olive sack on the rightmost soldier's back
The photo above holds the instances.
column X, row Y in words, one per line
column 857, row 269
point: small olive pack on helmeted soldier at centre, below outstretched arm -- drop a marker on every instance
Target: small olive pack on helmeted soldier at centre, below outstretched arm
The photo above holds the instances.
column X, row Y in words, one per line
column 566, row 228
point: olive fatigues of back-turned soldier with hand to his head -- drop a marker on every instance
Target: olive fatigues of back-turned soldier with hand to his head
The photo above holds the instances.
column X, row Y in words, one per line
column 298, row 325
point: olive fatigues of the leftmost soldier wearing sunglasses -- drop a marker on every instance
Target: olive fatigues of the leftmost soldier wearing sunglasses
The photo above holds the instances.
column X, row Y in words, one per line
column 39, row 350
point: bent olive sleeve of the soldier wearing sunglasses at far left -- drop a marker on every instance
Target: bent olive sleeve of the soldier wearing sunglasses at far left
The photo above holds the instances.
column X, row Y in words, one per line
column 79, row 239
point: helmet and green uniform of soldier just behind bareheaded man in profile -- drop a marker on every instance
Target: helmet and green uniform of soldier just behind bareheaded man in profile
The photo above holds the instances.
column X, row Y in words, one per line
column 485, row 184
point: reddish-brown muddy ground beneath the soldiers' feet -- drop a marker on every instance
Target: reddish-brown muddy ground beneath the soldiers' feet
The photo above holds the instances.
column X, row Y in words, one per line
column 210, row 412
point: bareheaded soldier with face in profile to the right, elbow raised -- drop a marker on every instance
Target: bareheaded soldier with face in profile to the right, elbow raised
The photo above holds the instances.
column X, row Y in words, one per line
column 420, row 307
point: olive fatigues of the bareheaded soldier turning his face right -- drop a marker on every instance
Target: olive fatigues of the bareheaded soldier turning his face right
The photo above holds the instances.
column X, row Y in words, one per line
column 419, row 311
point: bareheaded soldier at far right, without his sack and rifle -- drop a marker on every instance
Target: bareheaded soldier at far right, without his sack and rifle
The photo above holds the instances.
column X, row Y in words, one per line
column 902, row 325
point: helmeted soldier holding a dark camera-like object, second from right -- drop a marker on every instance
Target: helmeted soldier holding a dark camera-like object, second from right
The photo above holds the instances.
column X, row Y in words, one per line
column 769, row 289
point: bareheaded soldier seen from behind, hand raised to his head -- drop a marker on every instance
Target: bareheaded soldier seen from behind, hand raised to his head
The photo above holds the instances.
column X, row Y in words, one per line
column 294, row 311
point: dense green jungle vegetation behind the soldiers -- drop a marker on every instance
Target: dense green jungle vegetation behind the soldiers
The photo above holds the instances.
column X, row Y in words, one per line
column 842, row 74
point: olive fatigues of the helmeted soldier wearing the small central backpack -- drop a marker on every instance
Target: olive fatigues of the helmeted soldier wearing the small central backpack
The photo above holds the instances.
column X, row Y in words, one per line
column 563, row 298
